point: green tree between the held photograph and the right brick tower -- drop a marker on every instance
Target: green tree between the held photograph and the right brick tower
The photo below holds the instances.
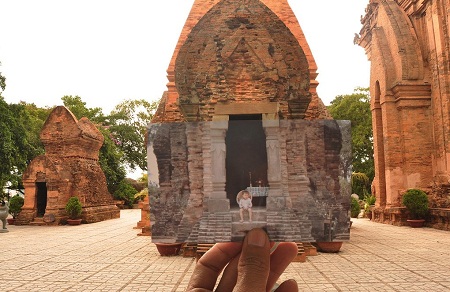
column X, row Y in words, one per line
column 356, row 108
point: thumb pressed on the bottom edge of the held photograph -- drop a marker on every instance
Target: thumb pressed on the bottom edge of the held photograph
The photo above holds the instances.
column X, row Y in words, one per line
column 254, row 262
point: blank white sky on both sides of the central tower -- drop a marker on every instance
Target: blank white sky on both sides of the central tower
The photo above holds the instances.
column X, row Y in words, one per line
column 106, row 51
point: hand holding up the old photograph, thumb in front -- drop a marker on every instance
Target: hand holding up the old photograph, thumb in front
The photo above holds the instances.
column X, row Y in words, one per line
column 249, row 266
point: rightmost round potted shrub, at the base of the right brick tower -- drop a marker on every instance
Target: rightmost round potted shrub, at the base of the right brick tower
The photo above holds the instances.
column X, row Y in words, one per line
column 416, row 202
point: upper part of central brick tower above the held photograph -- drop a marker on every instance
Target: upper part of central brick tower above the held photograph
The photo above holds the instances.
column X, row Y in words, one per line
column 218, row 53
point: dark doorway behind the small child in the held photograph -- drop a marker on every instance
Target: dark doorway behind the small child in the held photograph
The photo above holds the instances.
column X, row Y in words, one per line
column 246, row 160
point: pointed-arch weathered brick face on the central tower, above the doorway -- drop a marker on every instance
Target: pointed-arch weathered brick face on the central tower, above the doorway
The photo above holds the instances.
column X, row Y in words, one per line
column 244, row 55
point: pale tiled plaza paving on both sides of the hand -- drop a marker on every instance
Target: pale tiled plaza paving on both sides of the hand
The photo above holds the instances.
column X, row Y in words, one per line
column 109, row 256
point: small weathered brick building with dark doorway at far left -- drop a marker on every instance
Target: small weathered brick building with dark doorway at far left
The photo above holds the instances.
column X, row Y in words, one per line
column 68, row 168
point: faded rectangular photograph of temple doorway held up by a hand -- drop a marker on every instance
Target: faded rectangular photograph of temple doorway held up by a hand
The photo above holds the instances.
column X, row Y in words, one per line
column 214, row 181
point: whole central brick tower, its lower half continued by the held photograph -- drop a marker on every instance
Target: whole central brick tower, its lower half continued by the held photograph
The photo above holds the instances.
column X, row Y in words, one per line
column 244, row 65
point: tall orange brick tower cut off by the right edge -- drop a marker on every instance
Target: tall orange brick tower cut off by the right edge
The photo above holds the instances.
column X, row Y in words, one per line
column 407, row 43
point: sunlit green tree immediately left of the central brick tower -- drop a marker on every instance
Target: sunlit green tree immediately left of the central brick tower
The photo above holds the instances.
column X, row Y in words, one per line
column 128, row 125
